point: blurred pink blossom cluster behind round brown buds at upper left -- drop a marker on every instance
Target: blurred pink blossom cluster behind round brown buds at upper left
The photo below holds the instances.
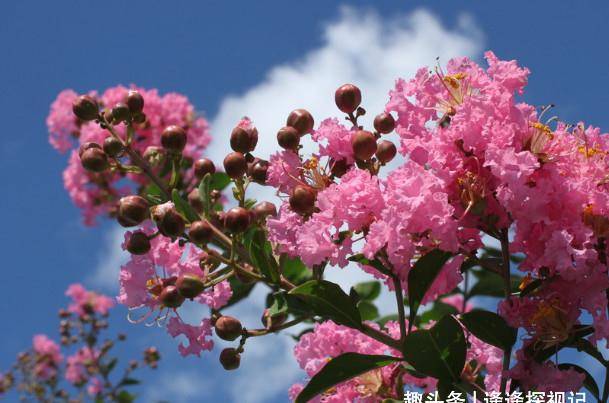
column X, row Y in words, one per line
column 96, row 193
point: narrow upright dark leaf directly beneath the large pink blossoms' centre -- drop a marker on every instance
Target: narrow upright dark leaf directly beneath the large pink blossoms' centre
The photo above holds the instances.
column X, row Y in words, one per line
column 422, row 276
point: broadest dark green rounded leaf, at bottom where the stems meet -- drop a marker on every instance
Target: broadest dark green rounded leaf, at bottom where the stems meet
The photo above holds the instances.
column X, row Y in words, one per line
column 438, row 352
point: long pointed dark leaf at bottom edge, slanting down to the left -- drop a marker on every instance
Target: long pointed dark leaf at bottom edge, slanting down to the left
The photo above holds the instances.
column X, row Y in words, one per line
column 340, row 369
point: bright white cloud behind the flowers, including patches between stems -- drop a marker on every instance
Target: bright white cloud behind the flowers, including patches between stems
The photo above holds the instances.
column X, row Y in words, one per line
column 359, row 47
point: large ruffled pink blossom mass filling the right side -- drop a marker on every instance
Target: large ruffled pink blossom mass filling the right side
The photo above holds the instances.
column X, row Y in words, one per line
column 477, row 161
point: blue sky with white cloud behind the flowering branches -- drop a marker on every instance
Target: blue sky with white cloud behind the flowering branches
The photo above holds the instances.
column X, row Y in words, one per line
column 267, row 55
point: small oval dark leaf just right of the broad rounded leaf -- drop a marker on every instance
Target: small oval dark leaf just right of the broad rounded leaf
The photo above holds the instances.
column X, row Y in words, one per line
column 490, row 328
